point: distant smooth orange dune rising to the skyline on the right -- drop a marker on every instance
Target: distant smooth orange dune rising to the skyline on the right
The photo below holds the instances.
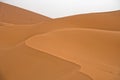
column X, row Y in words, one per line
column 107, row 20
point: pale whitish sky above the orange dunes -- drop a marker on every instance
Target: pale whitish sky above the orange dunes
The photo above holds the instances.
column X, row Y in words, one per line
column 62, row 8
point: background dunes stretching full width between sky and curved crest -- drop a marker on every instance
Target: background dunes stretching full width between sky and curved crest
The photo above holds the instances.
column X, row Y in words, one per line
column 18, row 33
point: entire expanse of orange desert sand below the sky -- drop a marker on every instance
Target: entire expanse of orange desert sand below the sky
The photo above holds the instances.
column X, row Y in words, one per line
column 30, row 42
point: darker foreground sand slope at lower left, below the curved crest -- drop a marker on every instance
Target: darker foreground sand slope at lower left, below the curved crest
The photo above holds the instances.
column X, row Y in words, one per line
column 25, row 63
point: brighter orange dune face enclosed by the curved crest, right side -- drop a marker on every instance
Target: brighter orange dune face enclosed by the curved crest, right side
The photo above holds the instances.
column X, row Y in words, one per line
column 97, row 51
